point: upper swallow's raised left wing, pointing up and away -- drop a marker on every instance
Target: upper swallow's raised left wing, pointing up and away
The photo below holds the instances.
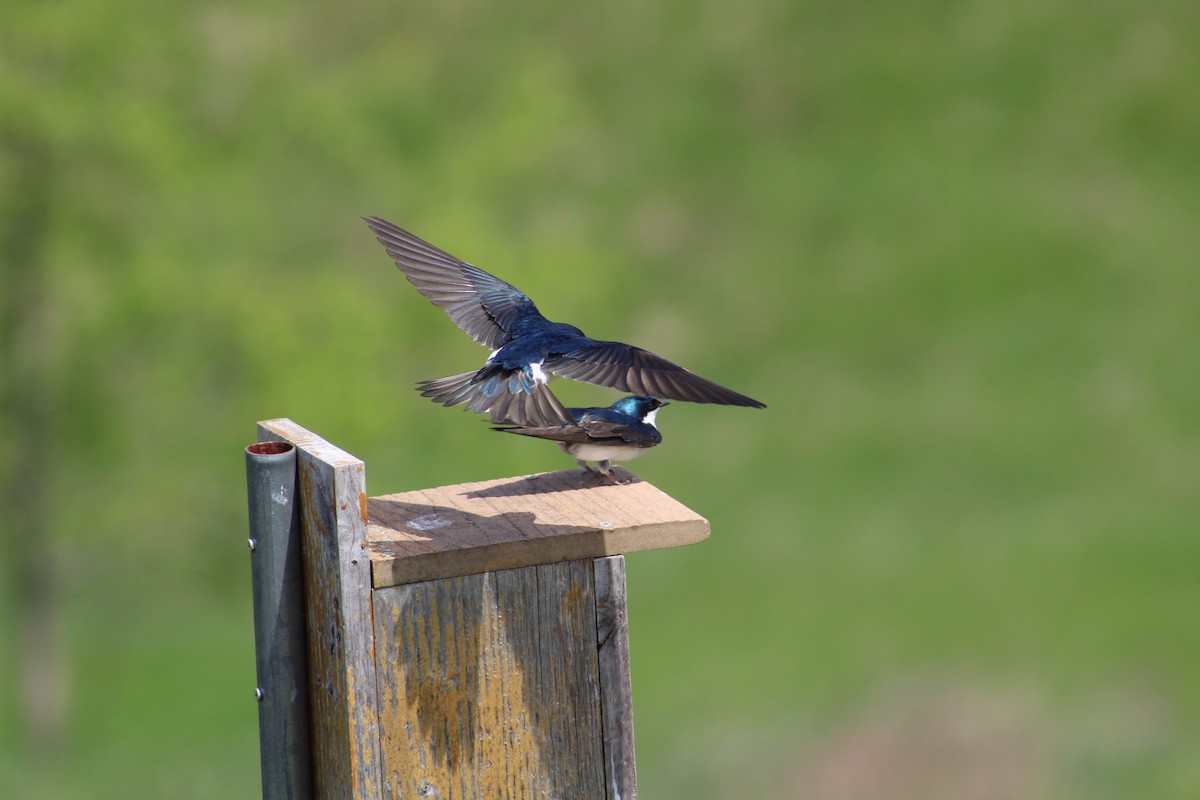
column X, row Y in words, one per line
column 479, row 303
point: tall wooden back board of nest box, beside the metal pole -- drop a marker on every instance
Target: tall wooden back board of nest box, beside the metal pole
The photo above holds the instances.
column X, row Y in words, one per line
column 338, row 606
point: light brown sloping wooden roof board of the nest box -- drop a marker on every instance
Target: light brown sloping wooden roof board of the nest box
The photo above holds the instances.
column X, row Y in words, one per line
column 514, row 522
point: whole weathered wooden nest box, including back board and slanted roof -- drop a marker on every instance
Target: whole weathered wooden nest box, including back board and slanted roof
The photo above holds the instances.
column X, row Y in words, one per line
column 471, row 641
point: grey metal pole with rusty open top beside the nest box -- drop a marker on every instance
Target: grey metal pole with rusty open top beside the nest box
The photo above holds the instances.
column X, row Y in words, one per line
column 280, row 651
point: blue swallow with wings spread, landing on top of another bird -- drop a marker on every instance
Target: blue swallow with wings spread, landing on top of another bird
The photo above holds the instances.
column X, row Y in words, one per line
column 527, row 348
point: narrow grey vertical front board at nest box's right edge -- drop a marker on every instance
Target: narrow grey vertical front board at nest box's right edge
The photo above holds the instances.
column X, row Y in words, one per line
column 616, row 693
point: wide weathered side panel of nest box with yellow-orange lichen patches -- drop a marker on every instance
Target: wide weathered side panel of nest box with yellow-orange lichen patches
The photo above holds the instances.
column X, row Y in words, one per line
column 496, row 693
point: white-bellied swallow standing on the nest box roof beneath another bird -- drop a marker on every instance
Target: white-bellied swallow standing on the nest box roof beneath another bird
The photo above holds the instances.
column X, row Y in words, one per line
column 621, row 432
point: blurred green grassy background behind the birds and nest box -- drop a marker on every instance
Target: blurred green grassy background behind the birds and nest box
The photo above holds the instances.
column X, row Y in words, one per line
column 952, row 245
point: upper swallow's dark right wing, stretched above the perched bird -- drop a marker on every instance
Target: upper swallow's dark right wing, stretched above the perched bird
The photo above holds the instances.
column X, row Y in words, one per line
column 640, row 372
